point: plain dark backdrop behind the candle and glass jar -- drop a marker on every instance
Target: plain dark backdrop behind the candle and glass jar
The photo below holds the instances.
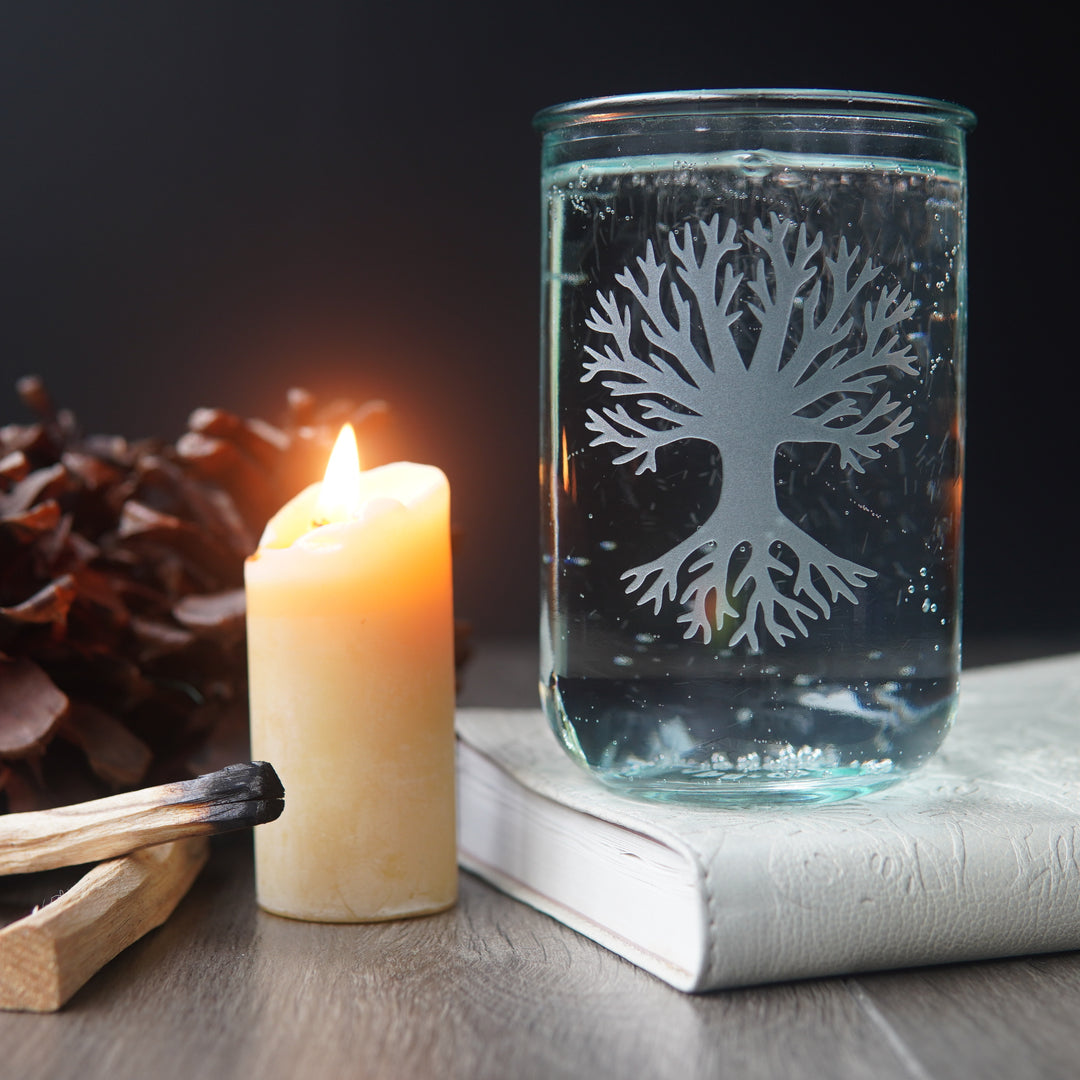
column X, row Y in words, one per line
column 207, row 204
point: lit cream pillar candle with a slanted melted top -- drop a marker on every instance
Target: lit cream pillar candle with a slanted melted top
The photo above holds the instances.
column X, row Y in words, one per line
column 350, row 643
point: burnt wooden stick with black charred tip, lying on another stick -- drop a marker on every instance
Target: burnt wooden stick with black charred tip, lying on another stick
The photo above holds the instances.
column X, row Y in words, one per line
column 236, row 798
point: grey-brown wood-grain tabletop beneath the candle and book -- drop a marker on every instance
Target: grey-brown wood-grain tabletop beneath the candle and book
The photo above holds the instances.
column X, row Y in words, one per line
column 494, row 990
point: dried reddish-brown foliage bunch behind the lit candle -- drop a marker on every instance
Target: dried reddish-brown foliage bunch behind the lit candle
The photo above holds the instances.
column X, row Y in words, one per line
column 123, row 652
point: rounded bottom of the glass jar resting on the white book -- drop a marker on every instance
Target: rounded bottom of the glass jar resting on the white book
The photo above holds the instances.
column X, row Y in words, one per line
column 744, row 741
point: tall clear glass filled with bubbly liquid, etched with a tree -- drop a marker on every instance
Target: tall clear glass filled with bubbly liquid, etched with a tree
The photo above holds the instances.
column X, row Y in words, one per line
column 753, row 350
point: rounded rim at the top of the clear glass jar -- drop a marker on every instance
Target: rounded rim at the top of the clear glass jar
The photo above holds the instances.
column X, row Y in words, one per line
column 839, row 103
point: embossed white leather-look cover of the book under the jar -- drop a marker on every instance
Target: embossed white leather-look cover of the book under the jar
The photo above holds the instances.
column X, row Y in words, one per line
column 976, row 857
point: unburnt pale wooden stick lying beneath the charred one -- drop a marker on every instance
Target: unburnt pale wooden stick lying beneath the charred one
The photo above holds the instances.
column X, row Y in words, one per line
column 47, row 956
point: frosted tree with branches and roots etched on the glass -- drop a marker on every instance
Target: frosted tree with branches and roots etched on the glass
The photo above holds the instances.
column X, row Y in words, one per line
column 811, row 374
